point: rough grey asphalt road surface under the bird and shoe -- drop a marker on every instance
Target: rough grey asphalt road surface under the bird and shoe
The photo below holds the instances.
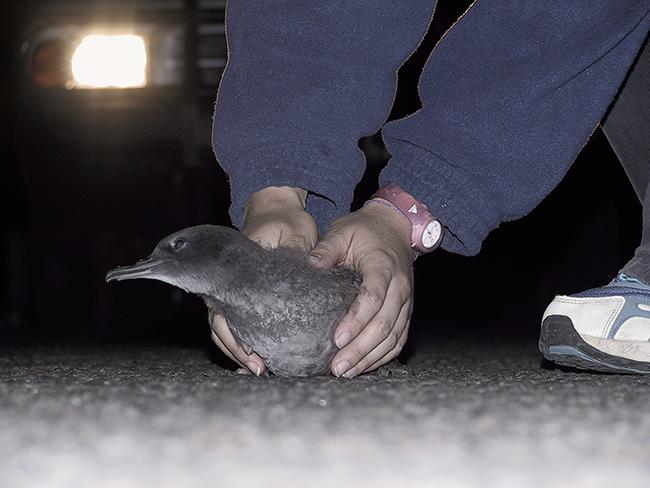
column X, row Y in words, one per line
column 460, row 416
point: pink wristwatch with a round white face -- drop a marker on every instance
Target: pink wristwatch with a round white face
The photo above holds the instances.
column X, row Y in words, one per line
column 426, row 230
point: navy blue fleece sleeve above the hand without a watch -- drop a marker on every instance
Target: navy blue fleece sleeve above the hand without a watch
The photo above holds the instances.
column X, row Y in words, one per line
column 305, row 80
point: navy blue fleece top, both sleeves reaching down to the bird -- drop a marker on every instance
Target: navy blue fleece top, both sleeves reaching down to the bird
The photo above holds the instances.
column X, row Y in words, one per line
column 509, row 97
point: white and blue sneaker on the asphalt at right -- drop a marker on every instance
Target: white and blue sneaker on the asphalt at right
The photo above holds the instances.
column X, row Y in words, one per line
column 603, row 329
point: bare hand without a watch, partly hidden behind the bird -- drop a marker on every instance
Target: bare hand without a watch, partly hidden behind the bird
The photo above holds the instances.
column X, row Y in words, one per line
column 275, row 216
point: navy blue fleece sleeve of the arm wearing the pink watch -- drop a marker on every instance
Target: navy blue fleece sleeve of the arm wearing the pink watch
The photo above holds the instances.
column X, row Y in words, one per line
column 509, row 98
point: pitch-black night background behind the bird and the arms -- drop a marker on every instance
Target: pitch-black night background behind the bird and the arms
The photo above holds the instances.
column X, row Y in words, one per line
column 91, row 180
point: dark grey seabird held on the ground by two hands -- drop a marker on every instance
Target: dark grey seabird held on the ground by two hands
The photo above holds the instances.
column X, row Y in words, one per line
column 275, row 301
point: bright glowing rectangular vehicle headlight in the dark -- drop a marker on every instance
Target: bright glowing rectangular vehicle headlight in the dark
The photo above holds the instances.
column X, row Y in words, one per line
column 102, row 61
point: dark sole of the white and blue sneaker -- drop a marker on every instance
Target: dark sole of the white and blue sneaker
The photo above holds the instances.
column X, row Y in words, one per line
column 560, row 343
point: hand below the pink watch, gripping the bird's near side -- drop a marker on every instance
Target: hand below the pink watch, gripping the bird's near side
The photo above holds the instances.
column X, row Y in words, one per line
column 376, row 242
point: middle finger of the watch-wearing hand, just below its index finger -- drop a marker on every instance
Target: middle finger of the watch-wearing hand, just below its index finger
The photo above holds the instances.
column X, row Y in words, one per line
column 379, row 328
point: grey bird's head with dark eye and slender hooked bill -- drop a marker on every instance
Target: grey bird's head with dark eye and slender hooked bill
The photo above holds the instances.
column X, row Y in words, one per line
column 194, row 259
